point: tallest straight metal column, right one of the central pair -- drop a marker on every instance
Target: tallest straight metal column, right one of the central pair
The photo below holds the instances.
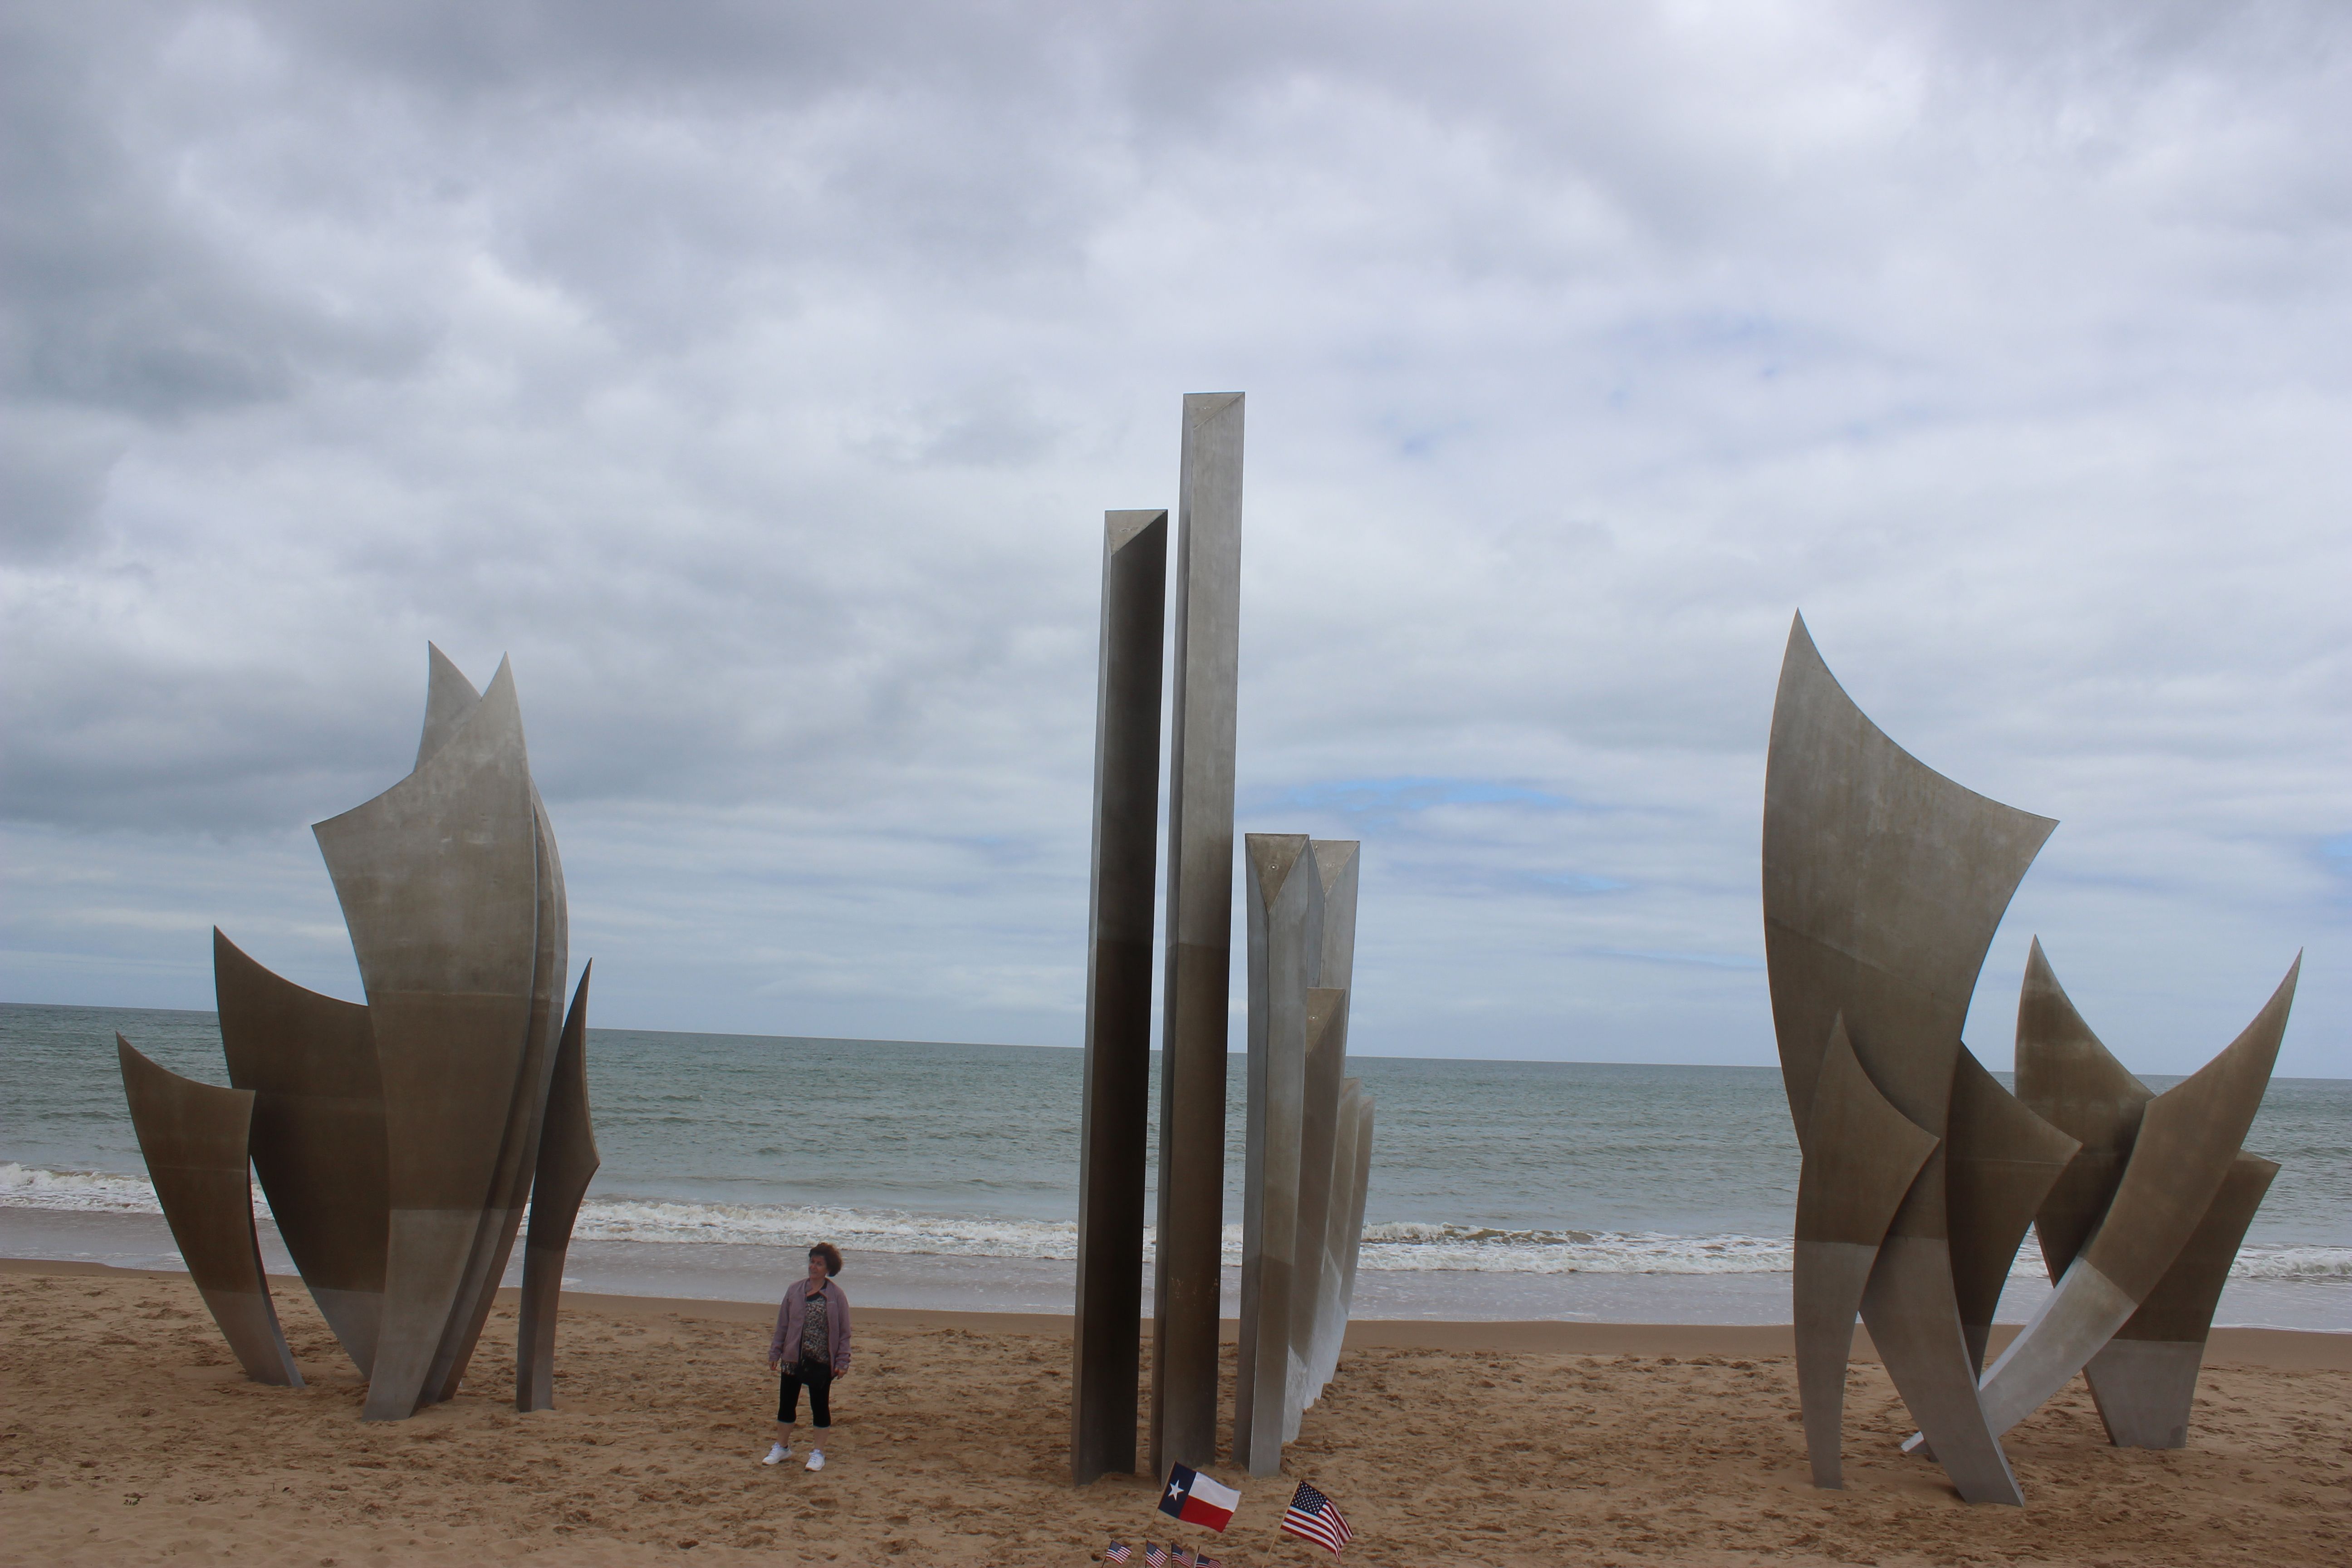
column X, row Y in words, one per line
column 1198, row 932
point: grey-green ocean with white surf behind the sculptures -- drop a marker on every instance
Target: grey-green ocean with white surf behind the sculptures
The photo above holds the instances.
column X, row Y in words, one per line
column 949, row 1174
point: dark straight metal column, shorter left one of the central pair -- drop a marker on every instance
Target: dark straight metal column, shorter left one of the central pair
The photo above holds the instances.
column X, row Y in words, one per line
column 1107, row 1348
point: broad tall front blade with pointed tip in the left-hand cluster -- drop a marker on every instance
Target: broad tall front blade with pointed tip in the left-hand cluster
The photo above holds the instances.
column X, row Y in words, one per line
column 439, row 880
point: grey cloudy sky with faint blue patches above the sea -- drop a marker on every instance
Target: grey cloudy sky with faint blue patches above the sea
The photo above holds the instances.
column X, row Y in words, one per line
column 756, row 380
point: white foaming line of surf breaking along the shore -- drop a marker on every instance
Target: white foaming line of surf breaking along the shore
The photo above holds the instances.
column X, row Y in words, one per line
column 1401, row 1247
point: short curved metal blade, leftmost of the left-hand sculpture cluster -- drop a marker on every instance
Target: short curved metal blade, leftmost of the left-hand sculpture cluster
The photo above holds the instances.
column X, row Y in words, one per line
column 194, row 1139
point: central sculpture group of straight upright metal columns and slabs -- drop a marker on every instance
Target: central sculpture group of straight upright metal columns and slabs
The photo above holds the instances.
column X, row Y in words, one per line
column 1309, row 1127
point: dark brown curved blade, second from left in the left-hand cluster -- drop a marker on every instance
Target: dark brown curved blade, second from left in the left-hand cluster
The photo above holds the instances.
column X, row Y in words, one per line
column 316, row 1134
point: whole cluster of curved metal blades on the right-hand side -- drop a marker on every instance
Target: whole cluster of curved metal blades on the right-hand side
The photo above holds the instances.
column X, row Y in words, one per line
column 1883, row 887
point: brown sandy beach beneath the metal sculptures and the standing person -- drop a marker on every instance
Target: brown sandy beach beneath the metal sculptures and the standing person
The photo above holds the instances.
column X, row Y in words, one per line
column 131, row 1438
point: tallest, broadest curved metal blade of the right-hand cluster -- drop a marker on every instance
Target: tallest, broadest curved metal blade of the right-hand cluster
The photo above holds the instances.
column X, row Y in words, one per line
column 1883, row 890
